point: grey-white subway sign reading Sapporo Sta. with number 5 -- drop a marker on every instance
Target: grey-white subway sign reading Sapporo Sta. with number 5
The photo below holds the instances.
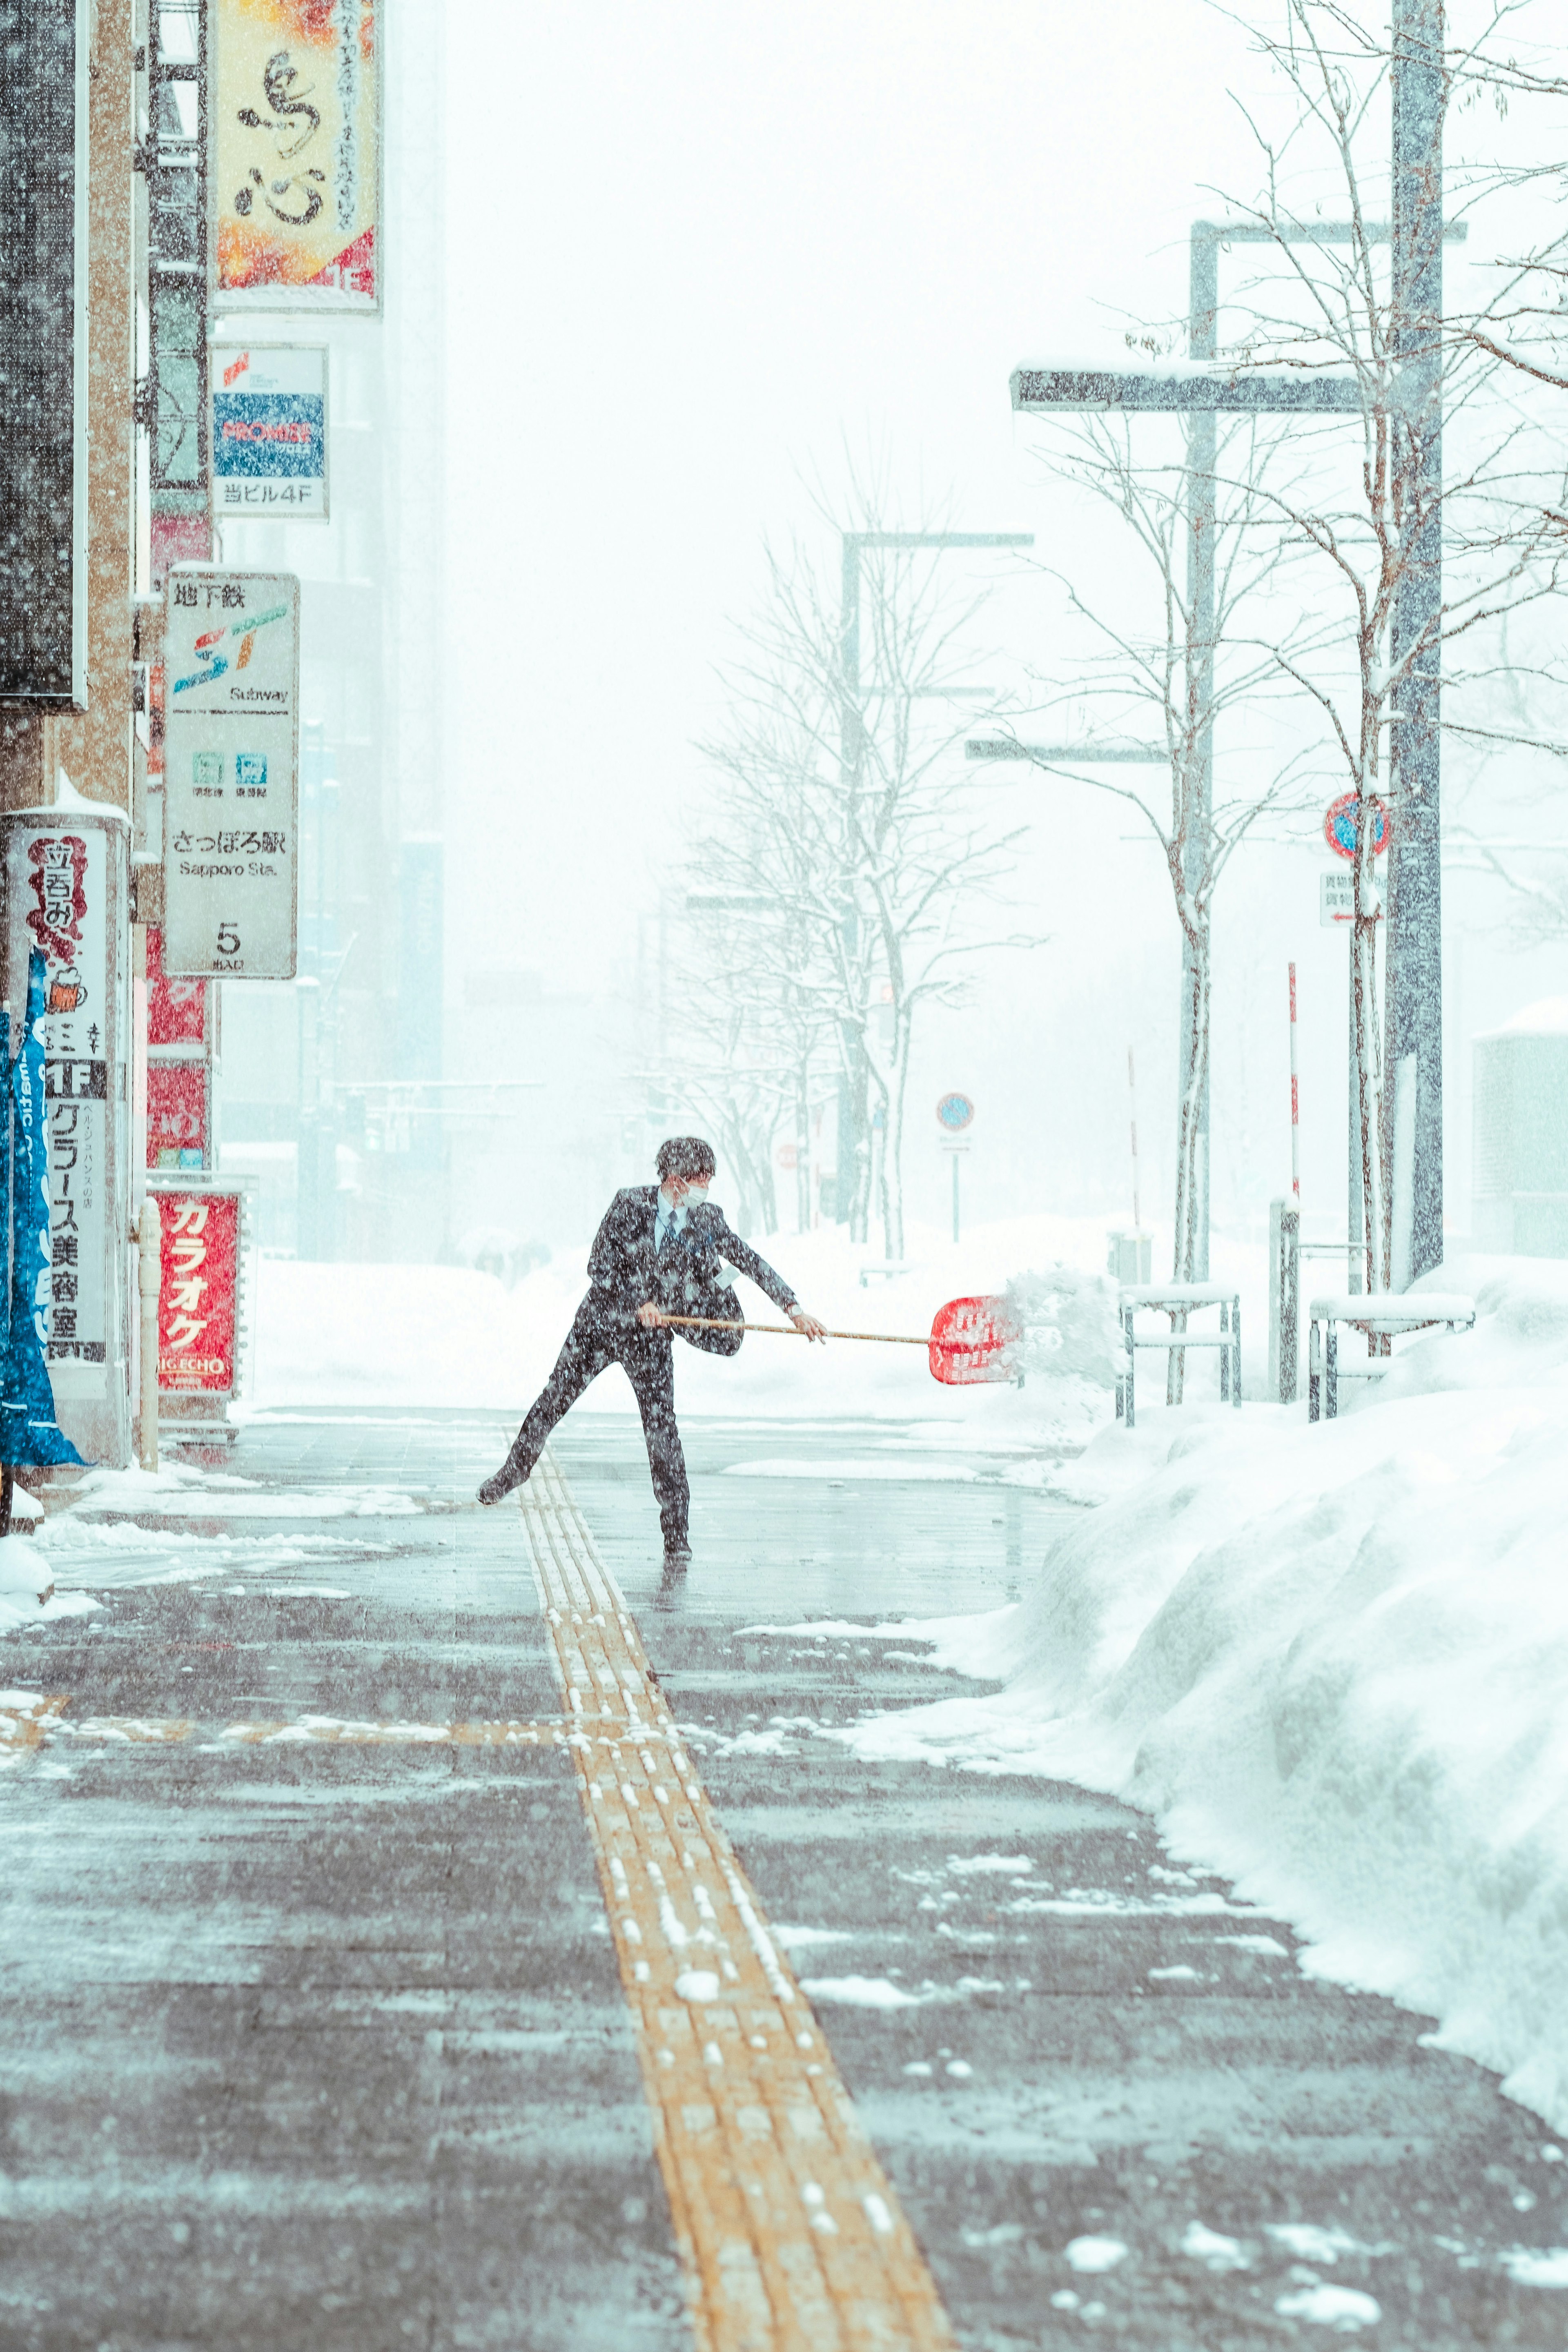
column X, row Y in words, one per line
column 232, row 775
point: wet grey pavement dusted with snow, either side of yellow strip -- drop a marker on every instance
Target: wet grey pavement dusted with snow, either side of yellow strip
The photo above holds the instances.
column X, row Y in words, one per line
column 314, row 2019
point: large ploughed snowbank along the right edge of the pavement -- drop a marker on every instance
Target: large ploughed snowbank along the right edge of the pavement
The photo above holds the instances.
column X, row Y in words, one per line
column 1334, row 1662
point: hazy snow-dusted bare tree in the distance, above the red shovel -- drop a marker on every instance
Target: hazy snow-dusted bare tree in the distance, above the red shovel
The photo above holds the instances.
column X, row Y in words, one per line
column 862, row 838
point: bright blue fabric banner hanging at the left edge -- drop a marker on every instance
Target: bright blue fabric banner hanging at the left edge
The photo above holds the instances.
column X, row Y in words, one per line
column 29, row 1431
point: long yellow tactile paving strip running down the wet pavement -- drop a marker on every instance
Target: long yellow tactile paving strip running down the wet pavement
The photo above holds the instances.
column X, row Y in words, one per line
column 789, row 2229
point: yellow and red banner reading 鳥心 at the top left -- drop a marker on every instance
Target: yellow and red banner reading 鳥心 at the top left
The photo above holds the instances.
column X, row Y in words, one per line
column 297, row 154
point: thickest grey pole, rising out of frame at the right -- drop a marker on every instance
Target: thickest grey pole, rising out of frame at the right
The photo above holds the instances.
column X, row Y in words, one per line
column 1414, row 1060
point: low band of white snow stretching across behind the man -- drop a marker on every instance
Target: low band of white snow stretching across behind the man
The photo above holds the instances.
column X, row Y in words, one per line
column 445, row 1335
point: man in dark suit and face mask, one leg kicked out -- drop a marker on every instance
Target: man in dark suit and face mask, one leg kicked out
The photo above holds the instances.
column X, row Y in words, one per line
column 655, row 1255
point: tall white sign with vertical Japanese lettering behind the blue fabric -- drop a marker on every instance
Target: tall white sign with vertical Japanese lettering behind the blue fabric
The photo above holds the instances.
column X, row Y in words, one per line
column 67, row 897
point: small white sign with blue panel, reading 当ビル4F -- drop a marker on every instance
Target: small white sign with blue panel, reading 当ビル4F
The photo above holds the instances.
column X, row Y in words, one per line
column 269, row 432
